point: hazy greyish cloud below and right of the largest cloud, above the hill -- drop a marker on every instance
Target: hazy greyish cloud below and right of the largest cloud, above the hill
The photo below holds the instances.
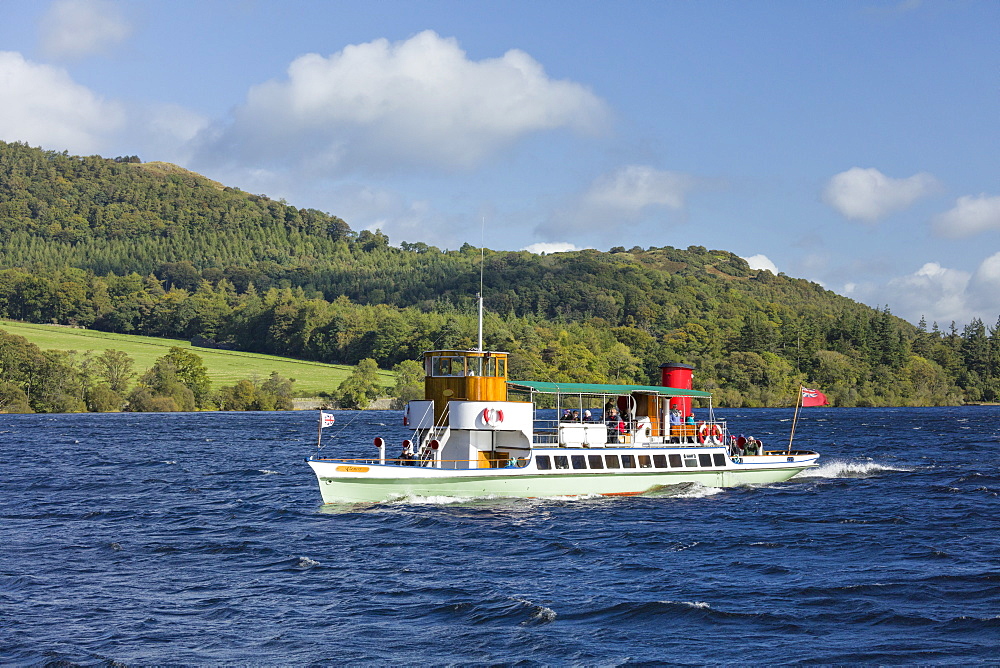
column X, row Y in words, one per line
column 626, row 195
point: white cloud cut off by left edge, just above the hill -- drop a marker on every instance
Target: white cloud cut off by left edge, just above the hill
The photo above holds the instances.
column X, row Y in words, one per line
column 42, row 105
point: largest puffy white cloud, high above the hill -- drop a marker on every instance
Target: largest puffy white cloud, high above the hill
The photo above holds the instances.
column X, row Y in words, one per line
column 381, row 106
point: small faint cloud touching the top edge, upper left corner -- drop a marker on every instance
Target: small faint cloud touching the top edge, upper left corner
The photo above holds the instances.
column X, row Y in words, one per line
column 80, row 28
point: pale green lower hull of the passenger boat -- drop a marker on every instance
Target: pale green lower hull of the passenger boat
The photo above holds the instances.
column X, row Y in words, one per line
column 350, row 488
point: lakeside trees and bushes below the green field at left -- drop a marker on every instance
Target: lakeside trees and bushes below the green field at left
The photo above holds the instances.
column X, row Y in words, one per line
column 54, row 381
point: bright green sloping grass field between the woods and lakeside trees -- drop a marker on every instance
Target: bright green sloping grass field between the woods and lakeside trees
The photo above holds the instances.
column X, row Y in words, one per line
column 225, row 367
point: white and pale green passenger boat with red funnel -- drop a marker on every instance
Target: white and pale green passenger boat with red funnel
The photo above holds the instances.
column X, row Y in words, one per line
column 478, row 434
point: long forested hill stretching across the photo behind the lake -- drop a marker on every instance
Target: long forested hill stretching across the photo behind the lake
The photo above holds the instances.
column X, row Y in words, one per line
column 151, row 248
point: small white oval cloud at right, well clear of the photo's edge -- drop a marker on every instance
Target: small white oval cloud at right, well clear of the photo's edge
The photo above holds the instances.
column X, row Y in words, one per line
column 869, row 195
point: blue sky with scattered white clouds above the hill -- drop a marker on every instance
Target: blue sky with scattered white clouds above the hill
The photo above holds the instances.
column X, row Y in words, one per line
column 855, row 144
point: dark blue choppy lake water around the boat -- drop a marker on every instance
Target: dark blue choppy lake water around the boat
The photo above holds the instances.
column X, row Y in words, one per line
column 200, row 539
